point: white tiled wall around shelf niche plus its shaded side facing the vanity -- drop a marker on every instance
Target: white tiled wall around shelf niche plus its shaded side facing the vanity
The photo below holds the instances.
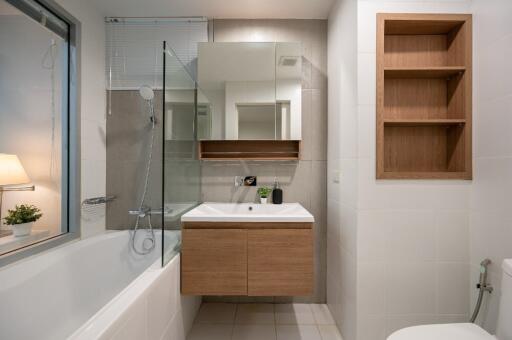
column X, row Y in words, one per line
column 404, row 245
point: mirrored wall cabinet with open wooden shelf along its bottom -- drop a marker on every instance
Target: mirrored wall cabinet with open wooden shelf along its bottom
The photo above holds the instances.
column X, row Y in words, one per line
column 249, row 92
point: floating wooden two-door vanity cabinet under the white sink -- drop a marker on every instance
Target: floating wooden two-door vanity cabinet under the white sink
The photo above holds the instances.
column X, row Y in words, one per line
column 250, row 258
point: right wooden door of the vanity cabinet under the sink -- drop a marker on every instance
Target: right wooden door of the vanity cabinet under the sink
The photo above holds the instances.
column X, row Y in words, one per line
column 280, row 262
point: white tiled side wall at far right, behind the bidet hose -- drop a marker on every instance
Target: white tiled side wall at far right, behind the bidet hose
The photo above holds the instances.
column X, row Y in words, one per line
column 491, row 216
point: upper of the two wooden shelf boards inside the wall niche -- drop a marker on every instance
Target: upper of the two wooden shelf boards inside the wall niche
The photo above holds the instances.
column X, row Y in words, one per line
column 423, row 72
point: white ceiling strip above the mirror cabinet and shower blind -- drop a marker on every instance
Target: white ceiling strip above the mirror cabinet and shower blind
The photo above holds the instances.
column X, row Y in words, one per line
column 247, row 9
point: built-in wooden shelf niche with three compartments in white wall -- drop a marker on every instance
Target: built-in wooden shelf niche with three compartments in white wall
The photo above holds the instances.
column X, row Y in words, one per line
column 424, row 96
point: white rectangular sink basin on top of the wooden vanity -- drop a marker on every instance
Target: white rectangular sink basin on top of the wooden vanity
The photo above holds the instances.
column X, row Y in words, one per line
column 248, row 212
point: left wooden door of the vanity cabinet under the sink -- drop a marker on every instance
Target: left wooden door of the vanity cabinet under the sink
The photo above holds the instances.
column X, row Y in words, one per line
column 214, row 262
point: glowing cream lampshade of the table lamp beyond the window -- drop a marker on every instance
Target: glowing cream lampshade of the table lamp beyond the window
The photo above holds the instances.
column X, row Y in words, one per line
column 12, row 177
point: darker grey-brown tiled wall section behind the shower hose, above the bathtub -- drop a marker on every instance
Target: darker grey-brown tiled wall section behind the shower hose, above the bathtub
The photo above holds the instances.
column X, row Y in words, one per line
column 128, row 146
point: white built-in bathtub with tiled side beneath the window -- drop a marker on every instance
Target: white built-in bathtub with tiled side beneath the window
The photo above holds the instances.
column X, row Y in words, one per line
column 96, row 288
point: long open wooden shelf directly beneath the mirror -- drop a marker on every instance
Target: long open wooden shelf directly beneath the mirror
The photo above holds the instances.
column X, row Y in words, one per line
column 249, row 150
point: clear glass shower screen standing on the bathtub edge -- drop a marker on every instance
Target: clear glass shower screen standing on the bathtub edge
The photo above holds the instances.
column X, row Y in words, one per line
column 181, row 169
